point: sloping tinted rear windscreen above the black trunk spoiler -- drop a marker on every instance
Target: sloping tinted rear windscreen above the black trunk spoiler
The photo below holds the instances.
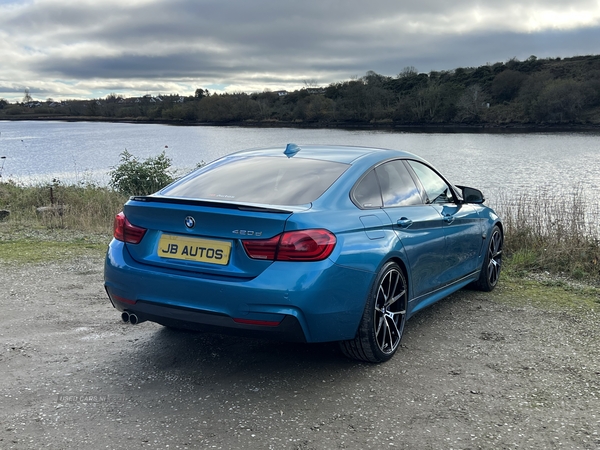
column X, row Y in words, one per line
column 267, row 180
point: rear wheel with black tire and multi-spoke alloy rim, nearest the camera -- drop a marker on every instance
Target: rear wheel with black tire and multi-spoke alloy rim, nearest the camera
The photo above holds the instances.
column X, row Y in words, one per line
column 382, row 323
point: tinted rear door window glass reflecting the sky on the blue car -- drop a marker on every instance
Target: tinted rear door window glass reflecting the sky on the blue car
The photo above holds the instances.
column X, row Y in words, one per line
column 397, row 186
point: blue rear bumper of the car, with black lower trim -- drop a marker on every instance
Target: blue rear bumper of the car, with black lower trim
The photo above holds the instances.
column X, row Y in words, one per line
column 311, row 302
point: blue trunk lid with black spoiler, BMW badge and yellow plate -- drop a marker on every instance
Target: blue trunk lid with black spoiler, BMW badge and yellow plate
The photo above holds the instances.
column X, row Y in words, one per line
column 202, row 238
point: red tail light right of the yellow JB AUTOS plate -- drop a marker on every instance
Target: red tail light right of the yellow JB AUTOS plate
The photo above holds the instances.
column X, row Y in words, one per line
column 302, row 245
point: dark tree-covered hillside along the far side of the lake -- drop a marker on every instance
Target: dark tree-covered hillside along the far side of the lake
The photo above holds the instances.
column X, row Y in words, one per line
column 531, row 92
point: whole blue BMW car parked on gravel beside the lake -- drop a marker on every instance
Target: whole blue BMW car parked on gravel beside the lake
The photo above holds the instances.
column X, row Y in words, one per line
column 302, row 243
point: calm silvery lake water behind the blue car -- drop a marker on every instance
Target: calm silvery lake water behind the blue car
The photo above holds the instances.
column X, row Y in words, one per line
column 37, row 152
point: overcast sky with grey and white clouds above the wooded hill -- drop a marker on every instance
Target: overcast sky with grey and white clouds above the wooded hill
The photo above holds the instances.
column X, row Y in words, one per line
column 65, row 49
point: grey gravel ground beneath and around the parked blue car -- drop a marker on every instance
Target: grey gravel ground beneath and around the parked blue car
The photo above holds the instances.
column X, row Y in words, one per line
column 473, row 372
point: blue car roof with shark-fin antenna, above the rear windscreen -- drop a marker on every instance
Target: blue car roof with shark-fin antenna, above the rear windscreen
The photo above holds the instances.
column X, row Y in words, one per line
column 335, row 153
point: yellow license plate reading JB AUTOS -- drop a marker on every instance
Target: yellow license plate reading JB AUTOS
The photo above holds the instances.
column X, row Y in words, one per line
column 194, row 249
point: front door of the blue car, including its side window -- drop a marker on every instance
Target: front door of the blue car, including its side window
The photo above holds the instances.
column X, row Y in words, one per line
column 463, row 228
